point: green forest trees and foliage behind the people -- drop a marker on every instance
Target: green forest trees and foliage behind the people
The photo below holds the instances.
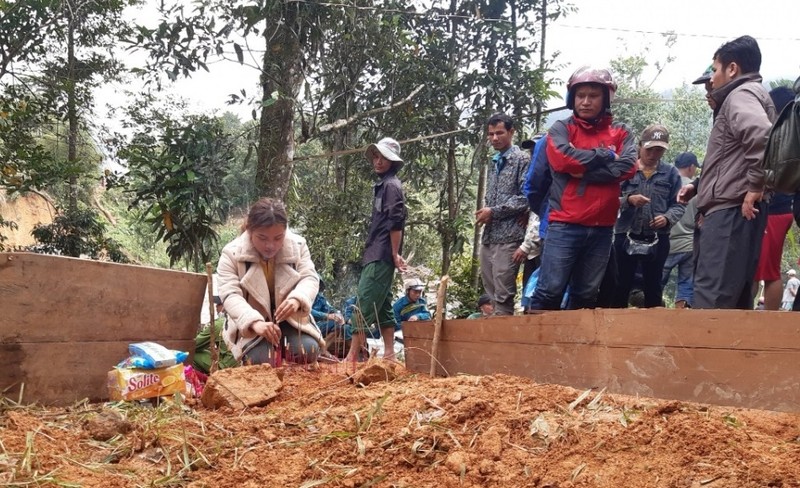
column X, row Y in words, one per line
column 154, row 181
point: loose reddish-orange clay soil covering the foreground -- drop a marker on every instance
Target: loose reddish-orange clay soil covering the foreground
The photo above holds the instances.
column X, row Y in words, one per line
column 465, row 431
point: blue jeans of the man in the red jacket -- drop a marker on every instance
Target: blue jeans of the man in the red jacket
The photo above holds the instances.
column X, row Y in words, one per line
column 574, row 255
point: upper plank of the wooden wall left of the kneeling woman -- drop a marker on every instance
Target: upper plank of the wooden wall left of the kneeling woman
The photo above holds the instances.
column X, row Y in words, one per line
column 52, row 298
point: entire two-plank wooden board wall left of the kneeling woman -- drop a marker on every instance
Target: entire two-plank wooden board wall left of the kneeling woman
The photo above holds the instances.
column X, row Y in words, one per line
column 66, row 322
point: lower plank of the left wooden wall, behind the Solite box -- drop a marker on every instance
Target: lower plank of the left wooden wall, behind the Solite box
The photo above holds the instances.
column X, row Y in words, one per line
column 63, row 373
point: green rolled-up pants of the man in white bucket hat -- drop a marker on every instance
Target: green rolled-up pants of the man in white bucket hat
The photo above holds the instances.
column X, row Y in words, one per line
column 374, row 305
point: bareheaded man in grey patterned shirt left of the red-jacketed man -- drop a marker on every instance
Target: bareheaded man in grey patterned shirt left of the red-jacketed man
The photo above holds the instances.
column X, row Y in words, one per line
column 504, row 215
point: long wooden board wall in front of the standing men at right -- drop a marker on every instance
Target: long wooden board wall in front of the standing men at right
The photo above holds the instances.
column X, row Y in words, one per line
column 726, row 357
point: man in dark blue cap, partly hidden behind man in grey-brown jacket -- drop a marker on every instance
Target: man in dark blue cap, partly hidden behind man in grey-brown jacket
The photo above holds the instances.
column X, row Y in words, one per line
column 681, row 238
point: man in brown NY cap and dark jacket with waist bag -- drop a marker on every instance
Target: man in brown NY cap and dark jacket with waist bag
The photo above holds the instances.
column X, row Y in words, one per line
column 648, row 209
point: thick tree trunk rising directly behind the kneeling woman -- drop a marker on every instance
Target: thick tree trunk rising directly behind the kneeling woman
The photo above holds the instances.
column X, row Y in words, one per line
column 281, row 76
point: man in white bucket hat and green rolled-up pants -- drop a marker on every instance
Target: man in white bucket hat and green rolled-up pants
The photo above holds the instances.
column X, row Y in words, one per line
column 382, row 253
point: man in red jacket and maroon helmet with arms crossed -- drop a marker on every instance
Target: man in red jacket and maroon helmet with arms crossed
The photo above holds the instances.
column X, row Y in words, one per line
column 589, row 155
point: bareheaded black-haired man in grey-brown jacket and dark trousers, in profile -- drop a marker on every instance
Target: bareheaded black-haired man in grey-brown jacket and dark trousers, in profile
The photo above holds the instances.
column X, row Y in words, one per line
column 729, row 199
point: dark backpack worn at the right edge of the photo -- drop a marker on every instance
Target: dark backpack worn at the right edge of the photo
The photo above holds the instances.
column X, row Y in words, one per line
column 781, row 162
